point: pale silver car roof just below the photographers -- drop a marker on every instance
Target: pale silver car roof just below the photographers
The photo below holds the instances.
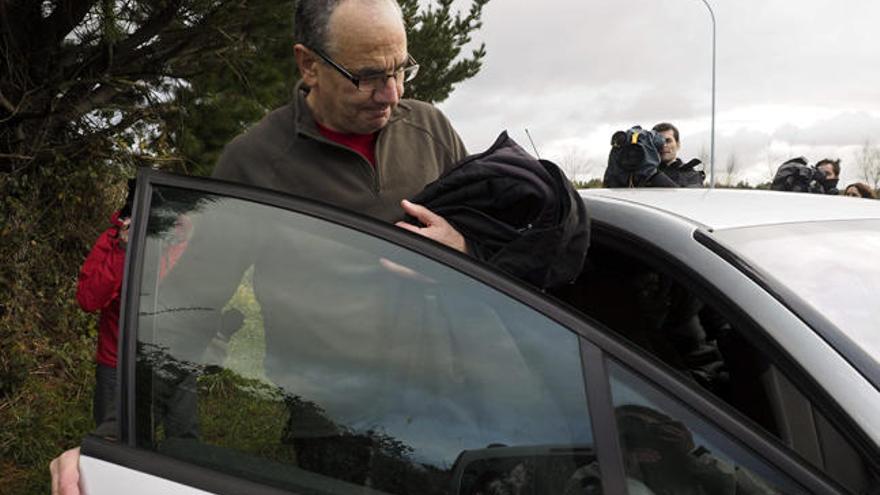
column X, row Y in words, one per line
column 718, row 209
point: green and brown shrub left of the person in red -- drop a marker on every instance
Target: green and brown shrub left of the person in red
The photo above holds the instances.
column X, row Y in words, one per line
column 52, row 212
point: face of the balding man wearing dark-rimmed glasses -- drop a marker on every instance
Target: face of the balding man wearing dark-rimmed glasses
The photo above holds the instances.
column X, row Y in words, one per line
column 366, row 38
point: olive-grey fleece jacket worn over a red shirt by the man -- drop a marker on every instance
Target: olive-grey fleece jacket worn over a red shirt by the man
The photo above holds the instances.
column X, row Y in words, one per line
column 286, row 152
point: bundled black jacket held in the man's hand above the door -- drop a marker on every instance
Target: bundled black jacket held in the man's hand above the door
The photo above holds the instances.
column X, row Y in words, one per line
column 518, row 213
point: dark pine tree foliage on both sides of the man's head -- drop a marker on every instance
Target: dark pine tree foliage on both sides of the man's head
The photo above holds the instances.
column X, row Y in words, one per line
column 168, row 82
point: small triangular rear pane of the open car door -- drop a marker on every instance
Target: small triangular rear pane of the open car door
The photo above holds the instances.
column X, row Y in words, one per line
column 671, row 450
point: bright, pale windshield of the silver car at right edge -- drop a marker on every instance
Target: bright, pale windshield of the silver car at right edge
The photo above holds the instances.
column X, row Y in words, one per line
column 832, row 266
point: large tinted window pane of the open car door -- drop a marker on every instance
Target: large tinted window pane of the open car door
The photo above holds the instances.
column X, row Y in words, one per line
column 301, row 354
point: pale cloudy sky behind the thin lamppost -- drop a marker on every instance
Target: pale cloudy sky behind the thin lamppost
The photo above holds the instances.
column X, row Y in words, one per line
column 793, row 78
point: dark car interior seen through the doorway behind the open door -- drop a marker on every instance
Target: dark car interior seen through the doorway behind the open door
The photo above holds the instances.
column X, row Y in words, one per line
column 656, row 311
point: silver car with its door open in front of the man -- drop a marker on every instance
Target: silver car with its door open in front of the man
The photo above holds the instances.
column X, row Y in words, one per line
column 716, row 342
